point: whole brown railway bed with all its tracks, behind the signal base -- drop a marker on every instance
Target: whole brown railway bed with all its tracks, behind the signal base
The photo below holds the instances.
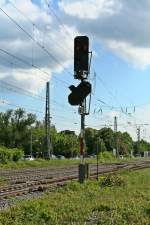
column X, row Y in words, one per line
column 23, row 182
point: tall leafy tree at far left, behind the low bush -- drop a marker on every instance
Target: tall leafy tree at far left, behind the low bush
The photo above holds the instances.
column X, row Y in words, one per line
column 14, row 127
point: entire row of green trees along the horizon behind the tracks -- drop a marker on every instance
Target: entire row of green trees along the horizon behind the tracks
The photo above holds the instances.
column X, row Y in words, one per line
column 18, row 129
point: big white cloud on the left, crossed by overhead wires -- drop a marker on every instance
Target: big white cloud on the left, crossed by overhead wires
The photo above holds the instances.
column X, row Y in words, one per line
column 45, row 32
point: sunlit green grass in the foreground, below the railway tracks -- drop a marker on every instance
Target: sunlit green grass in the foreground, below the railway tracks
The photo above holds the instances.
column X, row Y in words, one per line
column 121, row 200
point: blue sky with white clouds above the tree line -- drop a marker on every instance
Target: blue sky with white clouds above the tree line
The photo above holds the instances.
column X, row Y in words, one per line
column 36, row 46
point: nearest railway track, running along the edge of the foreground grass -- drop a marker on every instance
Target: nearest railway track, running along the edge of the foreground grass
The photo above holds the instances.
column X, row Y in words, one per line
column 52, row 183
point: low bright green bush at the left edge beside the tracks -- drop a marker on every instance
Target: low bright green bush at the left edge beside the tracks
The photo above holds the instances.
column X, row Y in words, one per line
column 9, row 155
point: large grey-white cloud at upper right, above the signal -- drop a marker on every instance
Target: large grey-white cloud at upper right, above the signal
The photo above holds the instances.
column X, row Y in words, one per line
column 122, row 26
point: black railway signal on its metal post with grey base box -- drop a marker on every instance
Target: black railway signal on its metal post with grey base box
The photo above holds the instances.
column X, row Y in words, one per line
column 79, row 94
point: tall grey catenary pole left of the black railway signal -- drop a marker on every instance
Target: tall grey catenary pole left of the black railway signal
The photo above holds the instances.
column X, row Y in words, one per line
column 47, row 150
